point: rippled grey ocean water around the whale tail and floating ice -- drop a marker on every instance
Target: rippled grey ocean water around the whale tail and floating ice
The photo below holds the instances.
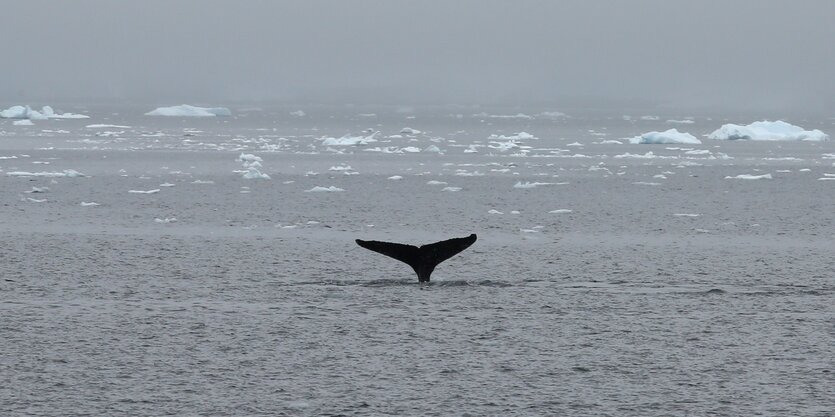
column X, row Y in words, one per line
column 632, row 280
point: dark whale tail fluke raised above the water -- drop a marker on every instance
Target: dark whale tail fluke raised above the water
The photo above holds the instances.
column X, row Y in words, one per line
column 422, row 259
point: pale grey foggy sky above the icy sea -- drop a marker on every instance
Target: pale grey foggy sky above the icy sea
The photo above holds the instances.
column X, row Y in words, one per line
column 757, row 53
